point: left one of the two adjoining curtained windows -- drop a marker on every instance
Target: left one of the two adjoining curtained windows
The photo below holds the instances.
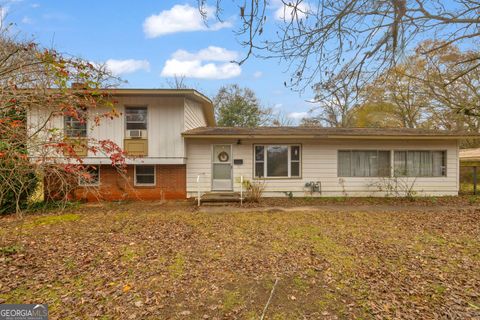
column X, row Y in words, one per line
column 363, row 163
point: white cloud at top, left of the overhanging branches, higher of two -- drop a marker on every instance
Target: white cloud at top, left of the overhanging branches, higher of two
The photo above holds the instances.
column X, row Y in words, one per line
column 180, row 18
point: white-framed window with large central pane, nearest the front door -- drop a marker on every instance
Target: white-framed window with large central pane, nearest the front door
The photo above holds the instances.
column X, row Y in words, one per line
column 277, row 161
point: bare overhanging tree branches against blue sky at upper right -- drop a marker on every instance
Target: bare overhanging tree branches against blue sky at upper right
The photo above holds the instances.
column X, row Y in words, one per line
column 359, row 39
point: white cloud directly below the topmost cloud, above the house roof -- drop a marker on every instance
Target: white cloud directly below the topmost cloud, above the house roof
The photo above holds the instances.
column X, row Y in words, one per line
column 199, row 64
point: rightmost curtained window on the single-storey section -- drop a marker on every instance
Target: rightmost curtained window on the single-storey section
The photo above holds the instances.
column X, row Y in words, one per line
column 412, row 163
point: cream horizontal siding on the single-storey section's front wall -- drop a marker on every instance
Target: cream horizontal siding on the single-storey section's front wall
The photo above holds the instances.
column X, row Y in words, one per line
column 319, row 163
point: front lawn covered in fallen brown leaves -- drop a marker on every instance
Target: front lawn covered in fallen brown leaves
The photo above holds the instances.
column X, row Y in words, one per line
column 153, row 261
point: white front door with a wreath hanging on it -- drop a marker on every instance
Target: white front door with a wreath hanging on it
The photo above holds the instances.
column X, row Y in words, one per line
column 222, row 167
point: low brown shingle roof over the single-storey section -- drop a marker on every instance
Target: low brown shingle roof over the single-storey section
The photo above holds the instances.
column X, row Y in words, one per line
column 314, row 132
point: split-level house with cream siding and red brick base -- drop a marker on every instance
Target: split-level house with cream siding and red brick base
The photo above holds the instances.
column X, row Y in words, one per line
column 178, row 151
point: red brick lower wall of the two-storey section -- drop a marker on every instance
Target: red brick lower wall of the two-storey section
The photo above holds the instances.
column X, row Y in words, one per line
column 170, row 184
